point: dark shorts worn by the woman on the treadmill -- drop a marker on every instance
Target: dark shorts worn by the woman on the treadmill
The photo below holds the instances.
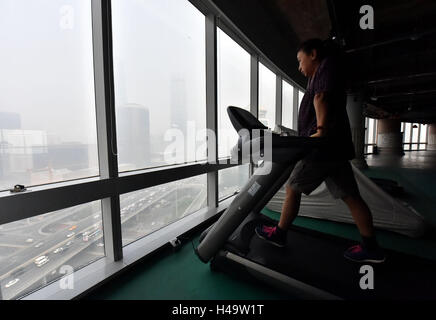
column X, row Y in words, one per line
column 338, row 176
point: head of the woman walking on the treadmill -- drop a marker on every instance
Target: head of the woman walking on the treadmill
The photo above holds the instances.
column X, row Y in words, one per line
column 309, row 54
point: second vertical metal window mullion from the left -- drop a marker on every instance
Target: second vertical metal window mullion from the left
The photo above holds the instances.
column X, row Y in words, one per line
column 211, row 107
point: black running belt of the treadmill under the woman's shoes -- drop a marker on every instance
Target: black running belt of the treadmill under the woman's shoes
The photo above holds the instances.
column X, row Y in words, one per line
column 317, row 259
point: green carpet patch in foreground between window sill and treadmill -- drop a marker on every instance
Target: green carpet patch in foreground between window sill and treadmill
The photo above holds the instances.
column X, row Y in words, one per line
column 181, row 276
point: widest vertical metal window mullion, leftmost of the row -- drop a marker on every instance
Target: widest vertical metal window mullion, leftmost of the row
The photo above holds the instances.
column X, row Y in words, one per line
column 106, row 128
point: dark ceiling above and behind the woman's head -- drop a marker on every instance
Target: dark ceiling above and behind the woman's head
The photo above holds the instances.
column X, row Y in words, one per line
column 393, row 65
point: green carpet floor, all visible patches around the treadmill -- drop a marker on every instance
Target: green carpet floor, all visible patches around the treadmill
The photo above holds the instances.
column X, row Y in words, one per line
column 181, row 276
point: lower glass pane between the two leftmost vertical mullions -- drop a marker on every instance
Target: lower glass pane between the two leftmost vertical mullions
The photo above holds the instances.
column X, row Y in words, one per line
column 148, row 210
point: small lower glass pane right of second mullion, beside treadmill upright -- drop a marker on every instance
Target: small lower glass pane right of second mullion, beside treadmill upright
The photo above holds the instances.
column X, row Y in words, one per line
column 232, row 180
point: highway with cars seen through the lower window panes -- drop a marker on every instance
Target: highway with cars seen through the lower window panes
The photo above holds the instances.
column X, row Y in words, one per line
column 67, row 236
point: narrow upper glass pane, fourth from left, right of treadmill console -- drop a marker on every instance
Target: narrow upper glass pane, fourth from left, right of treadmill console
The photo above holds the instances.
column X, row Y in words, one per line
column 267, row 96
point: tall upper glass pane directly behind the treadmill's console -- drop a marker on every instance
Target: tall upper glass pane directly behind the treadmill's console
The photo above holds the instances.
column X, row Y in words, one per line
column 233, row 88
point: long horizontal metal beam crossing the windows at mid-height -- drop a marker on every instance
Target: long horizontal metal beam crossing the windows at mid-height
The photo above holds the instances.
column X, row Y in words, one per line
column 44, row 199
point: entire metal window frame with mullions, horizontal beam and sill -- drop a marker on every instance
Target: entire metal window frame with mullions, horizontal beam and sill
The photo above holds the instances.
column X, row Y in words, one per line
column 111, row 184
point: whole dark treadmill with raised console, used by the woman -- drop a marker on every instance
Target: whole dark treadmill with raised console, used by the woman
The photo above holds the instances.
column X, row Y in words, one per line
column 311, row 265
